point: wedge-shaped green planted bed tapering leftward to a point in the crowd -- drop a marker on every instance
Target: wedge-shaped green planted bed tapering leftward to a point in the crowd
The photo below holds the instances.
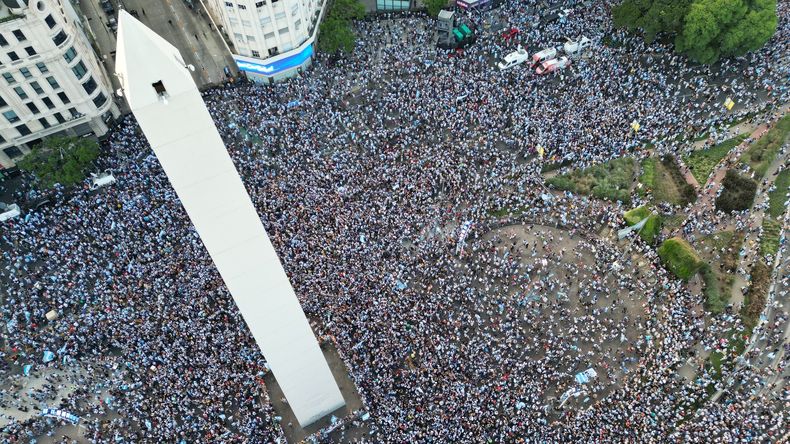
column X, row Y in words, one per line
column 611, row 180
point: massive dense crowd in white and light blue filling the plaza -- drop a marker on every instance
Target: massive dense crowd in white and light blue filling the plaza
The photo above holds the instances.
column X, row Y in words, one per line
column 362, row 187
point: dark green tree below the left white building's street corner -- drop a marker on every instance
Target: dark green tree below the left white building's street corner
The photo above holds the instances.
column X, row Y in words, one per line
column 61, row 160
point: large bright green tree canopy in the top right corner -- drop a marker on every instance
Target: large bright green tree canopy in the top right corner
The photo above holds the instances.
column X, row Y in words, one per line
column 706, row 30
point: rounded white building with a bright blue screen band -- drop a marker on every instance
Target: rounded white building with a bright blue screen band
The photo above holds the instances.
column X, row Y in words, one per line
column 274, row 39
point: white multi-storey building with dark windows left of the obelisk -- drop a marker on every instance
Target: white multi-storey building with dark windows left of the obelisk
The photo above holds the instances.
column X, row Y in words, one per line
column 52, row 82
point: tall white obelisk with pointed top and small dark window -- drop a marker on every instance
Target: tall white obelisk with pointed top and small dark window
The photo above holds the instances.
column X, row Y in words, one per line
column 168, row 106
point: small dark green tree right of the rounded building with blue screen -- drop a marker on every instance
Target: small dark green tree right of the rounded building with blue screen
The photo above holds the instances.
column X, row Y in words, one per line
column 336, row 32
